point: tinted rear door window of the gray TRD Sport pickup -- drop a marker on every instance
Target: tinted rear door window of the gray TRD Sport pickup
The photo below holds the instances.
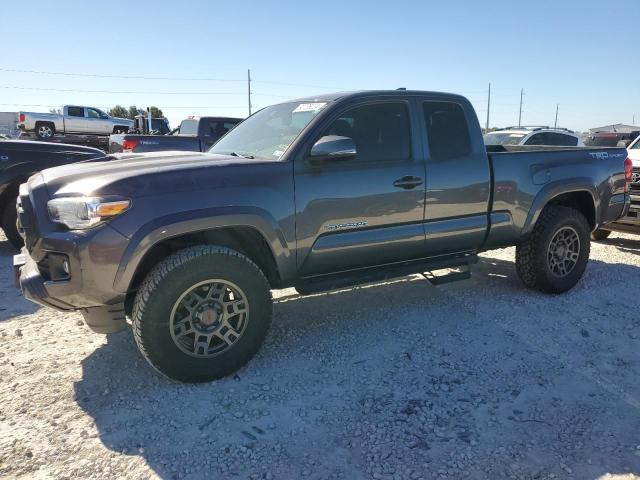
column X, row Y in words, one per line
column 447, row 130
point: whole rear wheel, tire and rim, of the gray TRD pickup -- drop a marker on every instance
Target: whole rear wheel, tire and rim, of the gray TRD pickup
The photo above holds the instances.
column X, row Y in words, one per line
column 555, row 255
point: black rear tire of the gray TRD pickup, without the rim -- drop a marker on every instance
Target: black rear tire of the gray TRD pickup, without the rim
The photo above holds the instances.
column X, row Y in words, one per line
column 532, row 263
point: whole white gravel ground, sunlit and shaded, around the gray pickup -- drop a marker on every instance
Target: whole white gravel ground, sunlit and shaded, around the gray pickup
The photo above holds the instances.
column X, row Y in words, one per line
column 400, row 380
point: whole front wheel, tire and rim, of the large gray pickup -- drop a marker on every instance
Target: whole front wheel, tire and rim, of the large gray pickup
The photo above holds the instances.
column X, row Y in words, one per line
column 202, row 313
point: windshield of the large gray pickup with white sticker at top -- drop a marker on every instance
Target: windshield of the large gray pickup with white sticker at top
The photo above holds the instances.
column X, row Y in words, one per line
column 268, row 133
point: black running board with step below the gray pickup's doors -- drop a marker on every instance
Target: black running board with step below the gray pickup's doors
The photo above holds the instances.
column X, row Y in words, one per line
column 323, row 283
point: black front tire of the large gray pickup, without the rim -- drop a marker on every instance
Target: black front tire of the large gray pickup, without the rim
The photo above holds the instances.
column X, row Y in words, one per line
column 171, row 278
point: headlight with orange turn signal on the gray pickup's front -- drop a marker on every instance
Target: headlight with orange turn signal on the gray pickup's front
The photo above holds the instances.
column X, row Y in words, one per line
column 79, row 213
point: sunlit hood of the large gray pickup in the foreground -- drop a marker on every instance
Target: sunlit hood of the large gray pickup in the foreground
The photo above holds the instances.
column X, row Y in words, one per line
column 138, row 175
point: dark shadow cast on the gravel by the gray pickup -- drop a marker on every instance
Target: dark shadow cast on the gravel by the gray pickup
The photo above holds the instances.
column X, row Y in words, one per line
column 358, row 357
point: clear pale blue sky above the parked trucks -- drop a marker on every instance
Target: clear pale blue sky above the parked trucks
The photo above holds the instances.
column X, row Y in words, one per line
column 580, row 54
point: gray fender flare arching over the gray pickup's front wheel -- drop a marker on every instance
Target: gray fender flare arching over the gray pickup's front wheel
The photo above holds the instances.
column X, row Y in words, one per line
column 181, row 223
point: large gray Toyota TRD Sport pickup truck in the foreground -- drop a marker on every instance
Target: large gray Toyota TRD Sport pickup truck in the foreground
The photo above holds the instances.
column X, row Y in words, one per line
column 315, row 194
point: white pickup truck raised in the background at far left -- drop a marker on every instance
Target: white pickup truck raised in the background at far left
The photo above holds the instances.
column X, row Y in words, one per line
column 74, row 119
